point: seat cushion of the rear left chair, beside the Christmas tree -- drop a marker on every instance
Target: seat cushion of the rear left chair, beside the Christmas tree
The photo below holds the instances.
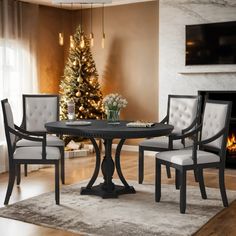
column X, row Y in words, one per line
column 51, row 141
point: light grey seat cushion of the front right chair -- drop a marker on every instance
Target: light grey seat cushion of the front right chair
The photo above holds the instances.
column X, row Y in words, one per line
column 184, row 157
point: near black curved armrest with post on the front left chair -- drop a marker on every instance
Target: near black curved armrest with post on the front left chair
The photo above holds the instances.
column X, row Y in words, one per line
column 31, row 138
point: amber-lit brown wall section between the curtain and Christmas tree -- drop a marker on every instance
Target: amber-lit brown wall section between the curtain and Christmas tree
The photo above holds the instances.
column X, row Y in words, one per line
column 50, row 54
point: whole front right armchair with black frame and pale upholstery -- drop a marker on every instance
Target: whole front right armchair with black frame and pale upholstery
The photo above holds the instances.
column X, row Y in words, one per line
column 208, row 151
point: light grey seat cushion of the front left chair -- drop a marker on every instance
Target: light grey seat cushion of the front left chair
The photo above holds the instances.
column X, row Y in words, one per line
column 35, row 153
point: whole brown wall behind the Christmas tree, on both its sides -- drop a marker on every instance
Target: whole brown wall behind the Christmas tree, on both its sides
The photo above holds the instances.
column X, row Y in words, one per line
column 128, row 64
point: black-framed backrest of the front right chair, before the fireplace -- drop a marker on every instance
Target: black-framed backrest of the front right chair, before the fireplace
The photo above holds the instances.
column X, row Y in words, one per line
column 216, row 116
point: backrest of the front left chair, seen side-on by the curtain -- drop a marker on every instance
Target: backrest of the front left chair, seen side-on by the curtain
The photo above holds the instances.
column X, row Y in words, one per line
column 8, row 122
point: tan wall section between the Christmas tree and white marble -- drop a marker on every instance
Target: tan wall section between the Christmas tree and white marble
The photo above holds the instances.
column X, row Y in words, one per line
column 128, row 64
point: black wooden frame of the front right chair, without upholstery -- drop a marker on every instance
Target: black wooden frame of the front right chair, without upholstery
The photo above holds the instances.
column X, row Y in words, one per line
column 180, row 171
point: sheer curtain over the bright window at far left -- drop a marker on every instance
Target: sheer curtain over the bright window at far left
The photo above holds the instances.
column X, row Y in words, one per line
column 18, row 74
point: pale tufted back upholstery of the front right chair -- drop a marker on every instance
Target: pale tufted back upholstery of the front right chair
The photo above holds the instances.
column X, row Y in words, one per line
column 213, row 122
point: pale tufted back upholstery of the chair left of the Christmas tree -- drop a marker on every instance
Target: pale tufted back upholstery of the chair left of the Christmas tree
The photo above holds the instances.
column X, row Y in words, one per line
column 40, row 111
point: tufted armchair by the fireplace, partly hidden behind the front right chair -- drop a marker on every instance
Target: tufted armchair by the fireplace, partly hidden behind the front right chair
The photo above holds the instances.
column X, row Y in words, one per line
column 183, row 113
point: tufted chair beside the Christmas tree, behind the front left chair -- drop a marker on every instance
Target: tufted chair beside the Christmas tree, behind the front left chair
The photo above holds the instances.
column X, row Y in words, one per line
column 38, row 110
